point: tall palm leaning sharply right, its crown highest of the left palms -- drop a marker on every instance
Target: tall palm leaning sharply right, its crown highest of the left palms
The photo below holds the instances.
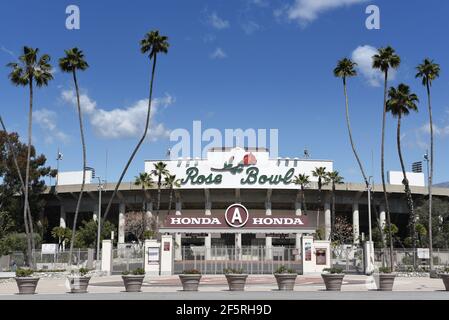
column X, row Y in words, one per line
column 152, row 44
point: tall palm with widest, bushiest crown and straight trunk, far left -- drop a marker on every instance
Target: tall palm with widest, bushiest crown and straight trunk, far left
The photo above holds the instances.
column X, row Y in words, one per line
column 29, row 71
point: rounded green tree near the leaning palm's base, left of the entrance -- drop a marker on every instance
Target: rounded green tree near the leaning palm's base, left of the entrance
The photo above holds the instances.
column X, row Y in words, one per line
column 86, row 236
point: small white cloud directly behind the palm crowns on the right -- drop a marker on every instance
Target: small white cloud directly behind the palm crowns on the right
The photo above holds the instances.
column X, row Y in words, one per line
column 363, row 56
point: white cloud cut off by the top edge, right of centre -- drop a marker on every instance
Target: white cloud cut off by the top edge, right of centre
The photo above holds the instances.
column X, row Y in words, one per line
column 306, row 11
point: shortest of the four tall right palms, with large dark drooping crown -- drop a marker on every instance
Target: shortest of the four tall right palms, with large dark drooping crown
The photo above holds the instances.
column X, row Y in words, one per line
column 401, row 101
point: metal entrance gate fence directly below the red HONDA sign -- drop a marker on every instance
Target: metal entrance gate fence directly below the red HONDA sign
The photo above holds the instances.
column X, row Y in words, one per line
column 251, row 259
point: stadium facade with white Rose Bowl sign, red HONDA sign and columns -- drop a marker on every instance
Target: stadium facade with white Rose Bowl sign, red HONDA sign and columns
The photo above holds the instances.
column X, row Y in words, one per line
column 202, row 206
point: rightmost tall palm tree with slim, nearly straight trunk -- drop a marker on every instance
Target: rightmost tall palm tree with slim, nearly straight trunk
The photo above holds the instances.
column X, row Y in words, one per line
column 429, row 71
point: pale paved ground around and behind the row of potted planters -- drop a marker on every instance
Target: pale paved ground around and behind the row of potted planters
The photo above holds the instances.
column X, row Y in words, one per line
column 215, row 287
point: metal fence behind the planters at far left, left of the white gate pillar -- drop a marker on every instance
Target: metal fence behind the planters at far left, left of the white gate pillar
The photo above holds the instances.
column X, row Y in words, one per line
column 52, row 261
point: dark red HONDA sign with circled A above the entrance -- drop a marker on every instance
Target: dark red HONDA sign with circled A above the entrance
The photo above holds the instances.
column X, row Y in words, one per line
column 237, row 216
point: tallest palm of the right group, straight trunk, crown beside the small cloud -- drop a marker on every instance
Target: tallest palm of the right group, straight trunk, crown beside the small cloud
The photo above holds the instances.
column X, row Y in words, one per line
column 383, row 60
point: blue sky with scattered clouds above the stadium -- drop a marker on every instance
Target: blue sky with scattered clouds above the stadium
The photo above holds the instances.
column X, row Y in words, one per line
column 231, row 64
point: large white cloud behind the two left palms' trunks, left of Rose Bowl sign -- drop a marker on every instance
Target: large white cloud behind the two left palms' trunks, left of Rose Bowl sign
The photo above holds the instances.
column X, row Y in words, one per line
column 122, row 122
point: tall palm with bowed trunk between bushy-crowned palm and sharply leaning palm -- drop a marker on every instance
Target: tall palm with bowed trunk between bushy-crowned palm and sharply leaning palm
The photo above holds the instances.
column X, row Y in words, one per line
column 70, row 63
